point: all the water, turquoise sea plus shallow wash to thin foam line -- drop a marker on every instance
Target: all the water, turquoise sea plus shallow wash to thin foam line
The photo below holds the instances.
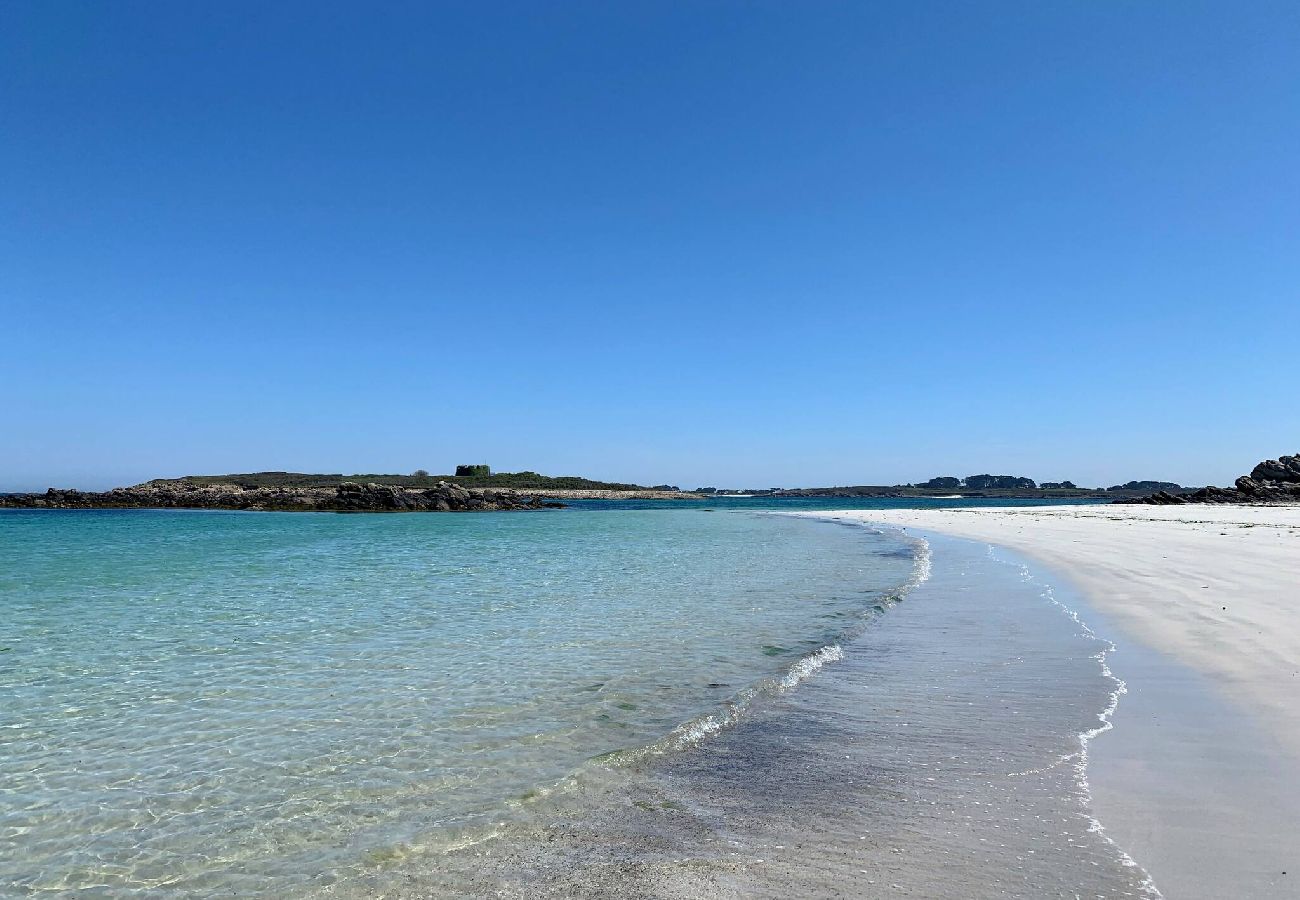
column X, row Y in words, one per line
column 648, row 700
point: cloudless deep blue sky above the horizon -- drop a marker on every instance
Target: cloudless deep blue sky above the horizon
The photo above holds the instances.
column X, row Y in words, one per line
column 734, row 244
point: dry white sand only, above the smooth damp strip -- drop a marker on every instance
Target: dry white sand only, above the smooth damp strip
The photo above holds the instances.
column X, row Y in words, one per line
column 1212, row 586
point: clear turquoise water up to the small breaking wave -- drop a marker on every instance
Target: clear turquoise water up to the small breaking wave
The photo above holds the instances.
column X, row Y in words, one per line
column 263, row 704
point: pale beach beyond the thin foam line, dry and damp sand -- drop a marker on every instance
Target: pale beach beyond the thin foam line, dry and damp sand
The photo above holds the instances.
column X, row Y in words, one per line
column 1198, row 780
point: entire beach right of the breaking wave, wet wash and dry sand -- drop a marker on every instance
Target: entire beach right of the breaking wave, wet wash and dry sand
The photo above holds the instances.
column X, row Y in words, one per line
column 961, row 746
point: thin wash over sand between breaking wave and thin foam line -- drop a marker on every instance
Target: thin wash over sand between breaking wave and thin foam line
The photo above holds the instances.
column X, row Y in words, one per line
column 942, row 758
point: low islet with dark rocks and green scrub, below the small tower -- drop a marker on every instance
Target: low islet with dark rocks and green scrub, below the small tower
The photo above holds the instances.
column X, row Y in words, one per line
column 346, row 497
